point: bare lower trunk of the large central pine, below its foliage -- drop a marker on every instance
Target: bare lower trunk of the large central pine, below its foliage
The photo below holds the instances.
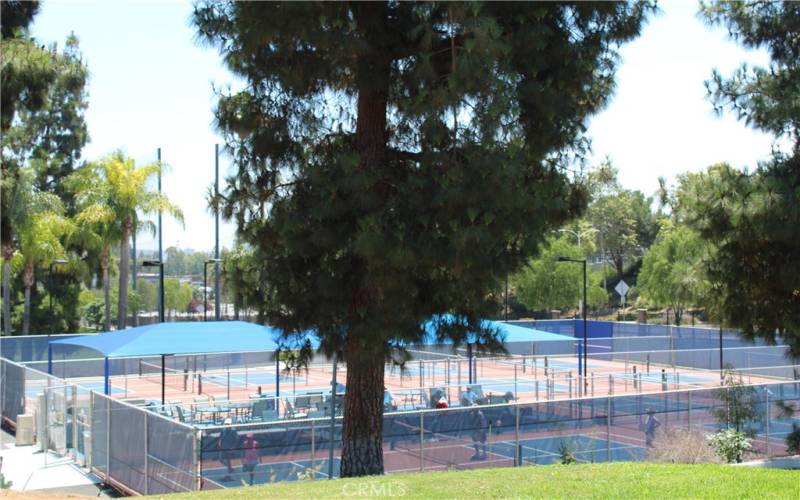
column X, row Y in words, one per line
column 362, row 430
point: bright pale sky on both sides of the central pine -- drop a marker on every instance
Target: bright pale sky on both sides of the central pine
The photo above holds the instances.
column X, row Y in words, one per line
column 151, row 86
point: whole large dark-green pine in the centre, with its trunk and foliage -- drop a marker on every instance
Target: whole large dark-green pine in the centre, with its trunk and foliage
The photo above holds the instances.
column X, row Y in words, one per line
column 396, row 160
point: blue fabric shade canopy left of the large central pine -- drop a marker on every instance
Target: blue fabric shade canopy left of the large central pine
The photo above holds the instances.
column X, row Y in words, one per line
column 186, row 337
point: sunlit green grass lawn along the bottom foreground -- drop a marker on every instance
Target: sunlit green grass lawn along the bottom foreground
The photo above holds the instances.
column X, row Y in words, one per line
column 616, row 480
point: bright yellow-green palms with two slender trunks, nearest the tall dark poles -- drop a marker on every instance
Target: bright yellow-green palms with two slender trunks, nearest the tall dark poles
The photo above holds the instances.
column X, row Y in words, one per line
column 113, row 195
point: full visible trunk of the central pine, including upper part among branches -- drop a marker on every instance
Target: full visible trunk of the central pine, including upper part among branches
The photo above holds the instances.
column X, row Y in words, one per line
column 362, row 428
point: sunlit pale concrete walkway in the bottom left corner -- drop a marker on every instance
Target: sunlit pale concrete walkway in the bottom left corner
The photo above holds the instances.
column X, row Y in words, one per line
column 31, row 470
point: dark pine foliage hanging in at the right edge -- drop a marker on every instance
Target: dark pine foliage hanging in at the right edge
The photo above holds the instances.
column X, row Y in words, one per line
column 753, row 218
